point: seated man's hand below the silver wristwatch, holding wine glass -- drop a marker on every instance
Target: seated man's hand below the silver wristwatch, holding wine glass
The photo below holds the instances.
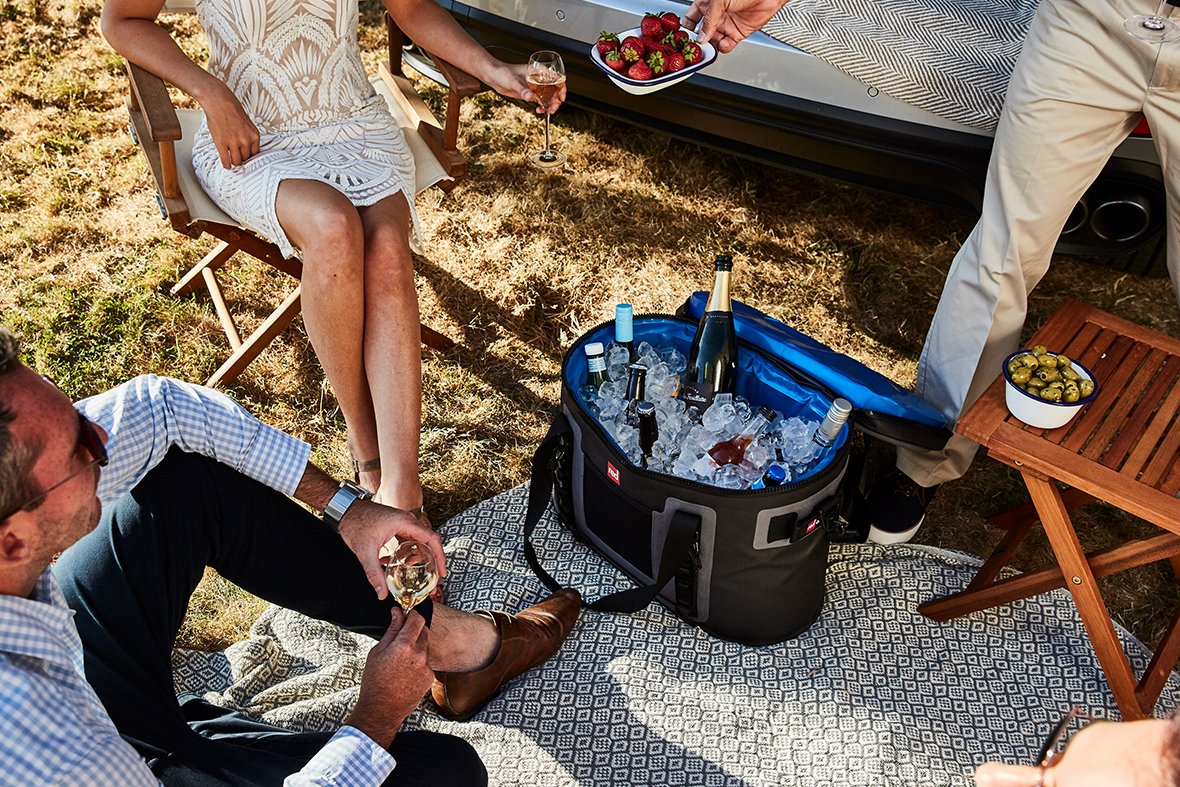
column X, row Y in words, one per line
column 368, row 527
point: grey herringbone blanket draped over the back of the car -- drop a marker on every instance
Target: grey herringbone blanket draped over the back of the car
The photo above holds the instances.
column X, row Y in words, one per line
column 948, row 57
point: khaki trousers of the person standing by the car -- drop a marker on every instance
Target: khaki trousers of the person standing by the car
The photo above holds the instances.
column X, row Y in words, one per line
column 1080, row 86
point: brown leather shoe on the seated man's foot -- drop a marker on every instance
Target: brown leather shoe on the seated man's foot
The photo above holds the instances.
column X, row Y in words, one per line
column 527, row 640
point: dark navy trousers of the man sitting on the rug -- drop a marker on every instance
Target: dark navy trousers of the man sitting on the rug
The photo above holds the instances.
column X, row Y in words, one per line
column 130, row 583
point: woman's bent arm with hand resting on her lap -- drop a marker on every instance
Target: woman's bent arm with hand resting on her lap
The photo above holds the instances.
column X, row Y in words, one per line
column 130, row 28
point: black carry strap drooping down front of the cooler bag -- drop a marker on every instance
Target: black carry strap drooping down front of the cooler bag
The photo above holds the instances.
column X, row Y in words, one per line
column 678, row 547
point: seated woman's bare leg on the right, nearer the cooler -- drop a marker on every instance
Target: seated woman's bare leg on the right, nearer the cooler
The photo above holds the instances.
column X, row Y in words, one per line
column 394, row 349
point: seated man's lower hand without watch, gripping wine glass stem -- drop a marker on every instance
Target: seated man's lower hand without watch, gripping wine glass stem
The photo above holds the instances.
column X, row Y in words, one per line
column 397, row 675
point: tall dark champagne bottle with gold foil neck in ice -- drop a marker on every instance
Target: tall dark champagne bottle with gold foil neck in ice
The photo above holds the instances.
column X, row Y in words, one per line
column 713, row 359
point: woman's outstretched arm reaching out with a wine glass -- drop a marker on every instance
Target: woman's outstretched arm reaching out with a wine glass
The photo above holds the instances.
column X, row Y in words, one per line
column 431, row 27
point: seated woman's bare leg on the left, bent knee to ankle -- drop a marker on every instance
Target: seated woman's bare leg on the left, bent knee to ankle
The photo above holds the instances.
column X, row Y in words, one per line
column 325, row 226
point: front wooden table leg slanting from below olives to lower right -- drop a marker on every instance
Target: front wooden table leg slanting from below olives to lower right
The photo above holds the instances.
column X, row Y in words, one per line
column 1084, row 587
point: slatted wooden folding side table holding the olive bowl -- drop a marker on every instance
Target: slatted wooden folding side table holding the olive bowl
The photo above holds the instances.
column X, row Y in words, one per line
column 1123, row 449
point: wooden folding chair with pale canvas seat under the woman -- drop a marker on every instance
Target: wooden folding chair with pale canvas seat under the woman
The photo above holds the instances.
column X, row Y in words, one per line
column 166, row 135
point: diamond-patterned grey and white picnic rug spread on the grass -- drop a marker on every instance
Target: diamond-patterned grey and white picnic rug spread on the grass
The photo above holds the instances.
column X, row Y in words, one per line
column 873, row 694
